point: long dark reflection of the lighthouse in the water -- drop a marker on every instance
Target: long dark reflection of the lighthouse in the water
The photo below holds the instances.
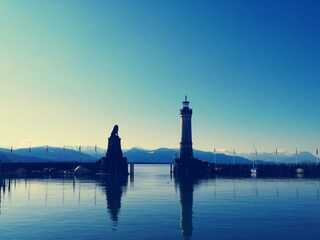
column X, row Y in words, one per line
column 186, row 187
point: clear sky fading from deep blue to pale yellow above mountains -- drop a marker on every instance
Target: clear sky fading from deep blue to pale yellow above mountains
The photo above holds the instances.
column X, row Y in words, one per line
column 71, row 70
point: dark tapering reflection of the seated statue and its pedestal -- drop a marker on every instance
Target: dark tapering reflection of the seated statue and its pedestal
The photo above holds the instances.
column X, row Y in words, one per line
column 114, row 187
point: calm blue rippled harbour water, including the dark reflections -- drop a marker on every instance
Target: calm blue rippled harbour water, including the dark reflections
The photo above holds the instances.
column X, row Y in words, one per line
column 155, row 206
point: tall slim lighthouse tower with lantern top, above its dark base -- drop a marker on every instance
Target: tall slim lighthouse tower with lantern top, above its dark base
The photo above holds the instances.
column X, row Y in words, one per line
column 186, row 152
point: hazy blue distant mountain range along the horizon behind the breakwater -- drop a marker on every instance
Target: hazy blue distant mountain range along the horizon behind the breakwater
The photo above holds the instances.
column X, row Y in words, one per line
column 139, row 155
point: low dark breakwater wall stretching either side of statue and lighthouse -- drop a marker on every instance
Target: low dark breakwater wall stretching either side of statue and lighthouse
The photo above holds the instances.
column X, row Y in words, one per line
column 210, row 170
